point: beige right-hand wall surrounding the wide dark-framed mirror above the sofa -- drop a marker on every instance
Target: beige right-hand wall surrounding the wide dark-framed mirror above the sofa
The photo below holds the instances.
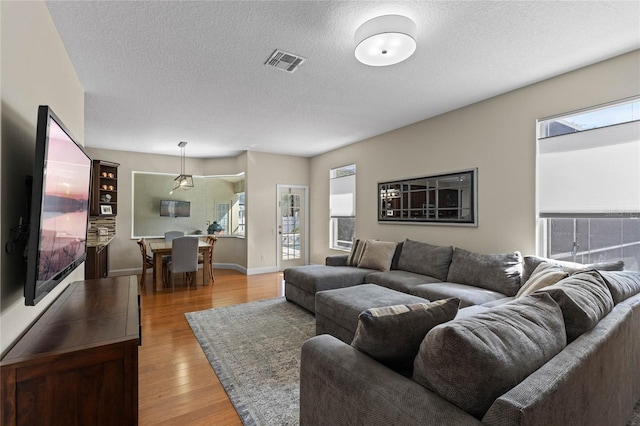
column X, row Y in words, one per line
column 497, row 135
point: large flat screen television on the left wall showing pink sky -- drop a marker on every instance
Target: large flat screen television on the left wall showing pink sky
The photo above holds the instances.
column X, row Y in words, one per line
column 59, row 215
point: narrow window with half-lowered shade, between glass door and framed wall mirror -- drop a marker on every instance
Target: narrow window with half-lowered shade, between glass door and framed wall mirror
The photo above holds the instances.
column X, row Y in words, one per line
column 342, row 205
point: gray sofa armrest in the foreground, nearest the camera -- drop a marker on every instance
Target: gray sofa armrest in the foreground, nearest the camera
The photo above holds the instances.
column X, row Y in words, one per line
column 340, row 385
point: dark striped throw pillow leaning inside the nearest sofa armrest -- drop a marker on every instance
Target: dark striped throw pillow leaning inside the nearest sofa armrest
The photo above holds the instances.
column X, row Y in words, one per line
column 392, row 334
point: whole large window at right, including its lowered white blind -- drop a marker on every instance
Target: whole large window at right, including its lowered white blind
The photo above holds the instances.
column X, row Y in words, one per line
column 588, row 184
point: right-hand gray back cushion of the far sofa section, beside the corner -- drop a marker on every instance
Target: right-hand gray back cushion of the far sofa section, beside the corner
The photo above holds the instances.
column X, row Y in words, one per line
column 497, row 272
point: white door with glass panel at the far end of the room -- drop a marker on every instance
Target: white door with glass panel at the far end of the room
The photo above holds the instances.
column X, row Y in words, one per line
column 292, row 226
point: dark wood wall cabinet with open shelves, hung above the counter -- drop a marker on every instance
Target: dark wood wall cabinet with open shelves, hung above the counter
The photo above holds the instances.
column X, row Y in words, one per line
column 104, row 189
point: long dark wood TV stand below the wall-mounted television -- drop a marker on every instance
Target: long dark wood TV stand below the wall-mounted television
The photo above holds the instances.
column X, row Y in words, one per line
column 78, row 363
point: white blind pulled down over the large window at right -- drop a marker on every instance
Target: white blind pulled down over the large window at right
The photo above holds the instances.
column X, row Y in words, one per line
column 591, row 173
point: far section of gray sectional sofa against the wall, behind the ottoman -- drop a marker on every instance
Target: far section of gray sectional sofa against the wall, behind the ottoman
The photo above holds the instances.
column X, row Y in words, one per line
column 424, row 270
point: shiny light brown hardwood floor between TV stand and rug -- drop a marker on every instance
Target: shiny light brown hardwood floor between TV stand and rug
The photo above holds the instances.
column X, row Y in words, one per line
column 177, row 386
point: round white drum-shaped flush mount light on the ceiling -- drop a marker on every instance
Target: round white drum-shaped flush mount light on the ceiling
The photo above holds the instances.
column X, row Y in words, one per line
column 385, row 40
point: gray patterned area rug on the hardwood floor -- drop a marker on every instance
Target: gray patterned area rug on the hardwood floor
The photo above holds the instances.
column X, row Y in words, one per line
column 254, row 349
